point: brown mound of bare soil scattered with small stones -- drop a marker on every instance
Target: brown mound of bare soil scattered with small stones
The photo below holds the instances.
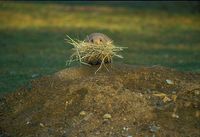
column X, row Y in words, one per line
column 127, row 101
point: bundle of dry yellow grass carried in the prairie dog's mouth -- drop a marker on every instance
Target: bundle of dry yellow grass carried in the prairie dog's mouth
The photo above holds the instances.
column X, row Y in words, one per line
column 86, row 52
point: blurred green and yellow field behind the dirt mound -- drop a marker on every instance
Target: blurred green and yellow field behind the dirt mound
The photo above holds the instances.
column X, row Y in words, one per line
column 32, row 35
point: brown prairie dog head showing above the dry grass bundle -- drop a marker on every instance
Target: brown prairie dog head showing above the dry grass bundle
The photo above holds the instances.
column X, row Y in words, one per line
column 98, row 38
